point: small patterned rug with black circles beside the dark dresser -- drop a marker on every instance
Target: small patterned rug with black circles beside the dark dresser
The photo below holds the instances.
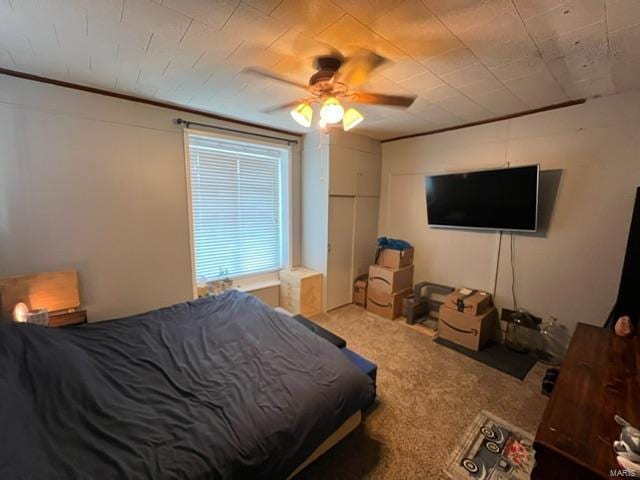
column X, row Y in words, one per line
column 492, row 449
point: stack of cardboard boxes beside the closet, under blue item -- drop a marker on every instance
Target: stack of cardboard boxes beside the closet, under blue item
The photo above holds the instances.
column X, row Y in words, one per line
column 390, row 280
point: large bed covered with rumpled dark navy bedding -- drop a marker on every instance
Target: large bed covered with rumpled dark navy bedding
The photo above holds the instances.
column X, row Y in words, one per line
column 221, row 387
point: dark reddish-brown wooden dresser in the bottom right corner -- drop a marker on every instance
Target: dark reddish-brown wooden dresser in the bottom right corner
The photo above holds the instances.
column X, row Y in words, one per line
column 598, row 379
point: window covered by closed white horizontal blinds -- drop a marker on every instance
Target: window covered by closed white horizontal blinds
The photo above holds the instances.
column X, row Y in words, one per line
column 239, row 206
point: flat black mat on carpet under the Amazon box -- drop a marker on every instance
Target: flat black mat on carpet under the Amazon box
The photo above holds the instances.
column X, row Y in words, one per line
column 497, row 356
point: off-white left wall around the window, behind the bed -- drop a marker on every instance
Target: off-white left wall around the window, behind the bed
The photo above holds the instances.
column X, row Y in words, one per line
column 97, row 184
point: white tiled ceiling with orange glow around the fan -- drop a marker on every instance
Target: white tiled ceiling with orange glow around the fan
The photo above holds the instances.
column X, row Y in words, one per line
column 468, row 60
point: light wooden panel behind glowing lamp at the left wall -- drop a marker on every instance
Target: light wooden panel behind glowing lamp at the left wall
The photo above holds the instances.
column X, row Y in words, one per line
column 54, row 291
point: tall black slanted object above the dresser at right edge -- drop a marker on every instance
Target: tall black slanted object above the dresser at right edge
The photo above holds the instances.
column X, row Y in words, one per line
column 628, row 302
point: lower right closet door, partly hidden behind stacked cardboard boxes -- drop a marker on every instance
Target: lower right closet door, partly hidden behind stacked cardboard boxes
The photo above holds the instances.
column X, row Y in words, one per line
column 365, row 234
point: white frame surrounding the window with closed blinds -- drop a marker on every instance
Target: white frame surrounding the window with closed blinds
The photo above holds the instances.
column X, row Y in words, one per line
column 286, row 192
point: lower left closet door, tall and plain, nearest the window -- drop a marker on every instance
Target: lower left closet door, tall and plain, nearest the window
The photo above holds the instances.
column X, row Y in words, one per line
column 339, row 268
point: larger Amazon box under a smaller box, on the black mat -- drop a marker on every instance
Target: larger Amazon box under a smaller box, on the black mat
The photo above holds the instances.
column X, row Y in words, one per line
column 471, row 331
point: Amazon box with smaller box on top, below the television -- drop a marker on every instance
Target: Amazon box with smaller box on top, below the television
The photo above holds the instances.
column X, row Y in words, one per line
column 468, row 318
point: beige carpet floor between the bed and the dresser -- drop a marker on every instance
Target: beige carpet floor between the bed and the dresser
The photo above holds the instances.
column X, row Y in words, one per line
column 427, row 396
